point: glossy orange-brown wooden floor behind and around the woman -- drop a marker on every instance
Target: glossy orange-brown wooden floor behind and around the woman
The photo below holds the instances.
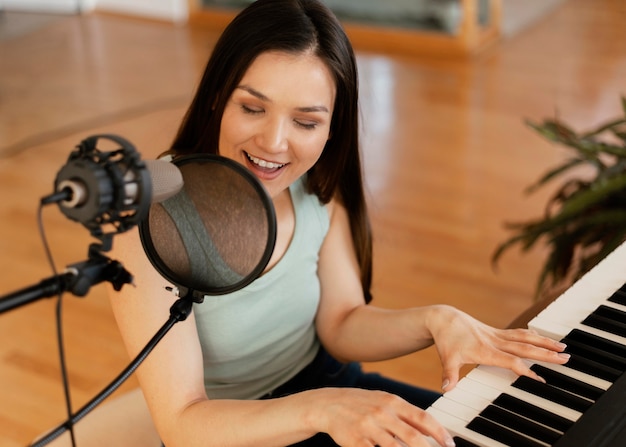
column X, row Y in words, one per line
column 447, row 157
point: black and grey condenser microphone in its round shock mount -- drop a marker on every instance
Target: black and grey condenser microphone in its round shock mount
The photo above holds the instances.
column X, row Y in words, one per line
column 111, row 191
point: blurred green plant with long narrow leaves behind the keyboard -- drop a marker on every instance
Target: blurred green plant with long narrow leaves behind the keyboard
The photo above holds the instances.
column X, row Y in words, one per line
column 585, row 219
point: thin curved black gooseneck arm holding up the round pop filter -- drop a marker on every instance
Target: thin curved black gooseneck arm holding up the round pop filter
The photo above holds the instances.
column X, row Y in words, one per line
column 179, row 311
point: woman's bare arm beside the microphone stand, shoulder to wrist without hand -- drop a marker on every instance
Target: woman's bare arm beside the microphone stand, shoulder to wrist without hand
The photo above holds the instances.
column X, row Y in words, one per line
column 172, row 375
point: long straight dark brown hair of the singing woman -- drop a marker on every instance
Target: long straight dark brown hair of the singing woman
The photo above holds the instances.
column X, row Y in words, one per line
column 292, row 26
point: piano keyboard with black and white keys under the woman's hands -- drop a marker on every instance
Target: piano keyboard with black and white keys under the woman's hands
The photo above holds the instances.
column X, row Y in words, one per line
column 582, row 403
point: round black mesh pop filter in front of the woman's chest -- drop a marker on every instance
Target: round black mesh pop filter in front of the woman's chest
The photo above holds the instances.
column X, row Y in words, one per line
column 217, row 234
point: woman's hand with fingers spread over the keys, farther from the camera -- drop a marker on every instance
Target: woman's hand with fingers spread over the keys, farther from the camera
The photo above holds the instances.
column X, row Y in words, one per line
column 461, row 339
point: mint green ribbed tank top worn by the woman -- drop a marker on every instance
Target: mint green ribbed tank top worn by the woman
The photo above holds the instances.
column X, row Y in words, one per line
column 257, row 338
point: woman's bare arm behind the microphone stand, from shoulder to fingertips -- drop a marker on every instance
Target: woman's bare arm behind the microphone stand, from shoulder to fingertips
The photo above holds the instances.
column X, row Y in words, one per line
column 172, row 381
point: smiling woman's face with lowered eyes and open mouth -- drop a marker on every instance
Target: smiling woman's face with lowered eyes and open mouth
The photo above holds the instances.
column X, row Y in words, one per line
column 277, row 120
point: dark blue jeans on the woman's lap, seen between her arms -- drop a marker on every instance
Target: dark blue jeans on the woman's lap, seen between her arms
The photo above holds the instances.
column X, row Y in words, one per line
column 325, row 371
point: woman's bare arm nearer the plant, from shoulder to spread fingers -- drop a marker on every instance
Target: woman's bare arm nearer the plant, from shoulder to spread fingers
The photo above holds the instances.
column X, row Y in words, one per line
column 351, row 330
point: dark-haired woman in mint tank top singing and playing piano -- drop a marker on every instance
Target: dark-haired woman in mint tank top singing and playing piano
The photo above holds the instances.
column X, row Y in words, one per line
column 280, row 96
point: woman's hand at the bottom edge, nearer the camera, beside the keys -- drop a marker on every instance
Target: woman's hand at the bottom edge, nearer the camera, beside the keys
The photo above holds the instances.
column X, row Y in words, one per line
column 357, row 418
